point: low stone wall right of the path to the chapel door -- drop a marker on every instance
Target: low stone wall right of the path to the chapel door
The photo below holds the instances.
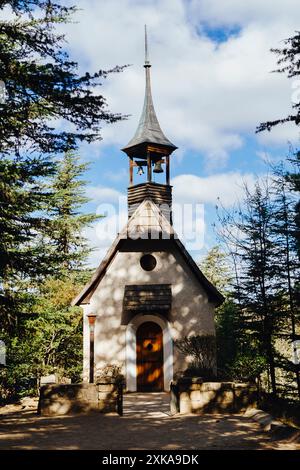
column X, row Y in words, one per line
column 191, row 395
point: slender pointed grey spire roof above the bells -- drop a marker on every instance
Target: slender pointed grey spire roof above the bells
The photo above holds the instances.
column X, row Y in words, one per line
column 149, row 130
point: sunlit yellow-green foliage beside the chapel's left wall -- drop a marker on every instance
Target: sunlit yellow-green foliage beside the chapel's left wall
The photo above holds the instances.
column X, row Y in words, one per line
column 56, row 329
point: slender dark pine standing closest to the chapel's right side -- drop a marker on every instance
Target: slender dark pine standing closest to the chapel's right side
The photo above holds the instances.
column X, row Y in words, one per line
column 248, row 233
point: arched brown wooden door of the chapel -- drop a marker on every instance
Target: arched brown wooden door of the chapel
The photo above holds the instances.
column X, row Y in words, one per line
column 149, row 358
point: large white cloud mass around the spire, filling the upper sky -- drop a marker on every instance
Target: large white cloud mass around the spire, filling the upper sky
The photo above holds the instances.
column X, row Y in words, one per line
column 207, row 95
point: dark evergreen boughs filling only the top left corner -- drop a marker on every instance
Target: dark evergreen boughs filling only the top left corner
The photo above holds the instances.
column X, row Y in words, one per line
column 43, row 85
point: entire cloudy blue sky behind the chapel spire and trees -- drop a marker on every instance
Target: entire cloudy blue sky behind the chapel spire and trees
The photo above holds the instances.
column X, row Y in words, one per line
column 211, row 86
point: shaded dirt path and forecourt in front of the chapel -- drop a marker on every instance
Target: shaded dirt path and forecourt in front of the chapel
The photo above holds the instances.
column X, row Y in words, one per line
column 145, row 425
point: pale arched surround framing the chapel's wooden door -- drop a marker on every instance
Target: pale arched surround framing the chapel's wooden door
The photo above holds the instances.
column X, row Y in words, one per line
column 130, row 337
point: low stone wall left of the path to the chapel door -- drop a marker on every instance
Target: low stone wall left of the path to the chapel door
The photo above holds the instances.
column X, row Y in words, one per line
column 62, row 399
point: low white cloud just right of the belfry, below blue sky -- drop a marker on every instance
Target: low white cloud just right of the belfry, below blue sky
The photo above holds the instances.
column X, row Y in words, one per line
column 226, row 187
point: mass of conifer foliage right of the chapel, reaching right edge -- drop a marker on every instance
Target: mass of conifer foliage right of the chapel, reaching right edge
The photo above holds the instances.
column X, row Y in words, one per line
column 261, row 313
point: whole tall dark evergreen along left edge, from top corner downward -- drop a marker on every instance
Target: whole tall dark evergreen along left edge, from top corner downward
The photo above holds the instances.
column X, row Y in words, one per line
column 42, row 89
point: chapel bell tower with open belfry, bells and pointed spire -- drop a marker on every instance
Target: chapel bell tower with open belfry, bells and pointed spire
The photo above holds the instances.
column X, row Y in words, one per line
column 149, row 154
